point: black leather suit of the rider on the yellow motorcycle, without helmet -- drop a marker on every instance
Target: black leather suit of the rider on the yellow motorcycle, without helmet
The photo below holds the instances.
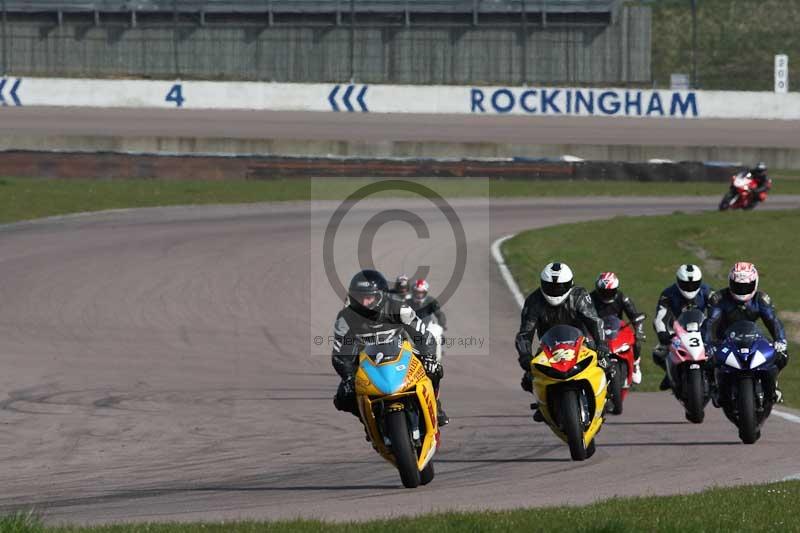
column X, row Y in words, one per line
column 538, row 316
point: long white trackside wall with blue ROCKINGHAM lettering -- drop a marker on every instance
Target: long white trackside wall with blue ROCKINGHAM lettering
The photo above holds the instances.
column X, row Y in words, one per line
column 551, row 101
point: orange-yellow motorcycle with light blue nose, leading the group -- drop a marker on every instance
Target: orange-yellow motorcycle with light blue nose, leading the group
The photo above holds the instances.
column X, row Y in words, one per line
column 397, row 404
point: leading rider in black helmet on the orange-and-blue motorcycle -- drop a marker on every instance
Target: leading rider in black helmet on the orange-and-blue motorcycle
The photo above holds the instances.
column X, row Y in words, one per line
column 369, row 316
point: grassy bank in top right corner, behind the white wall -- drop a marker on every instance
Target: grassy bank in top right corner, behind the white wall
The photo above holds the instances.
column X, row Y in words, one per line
column 736, row 41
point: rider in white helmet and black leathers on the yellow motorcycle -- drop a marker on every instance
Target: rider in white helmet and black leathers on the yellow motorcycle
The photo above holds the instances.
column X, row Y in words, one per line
column 557, row 301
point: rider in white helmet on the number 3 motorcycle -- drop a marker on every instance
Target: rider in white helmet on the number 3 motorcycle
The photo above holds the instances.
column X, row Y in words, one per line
column 688, row 292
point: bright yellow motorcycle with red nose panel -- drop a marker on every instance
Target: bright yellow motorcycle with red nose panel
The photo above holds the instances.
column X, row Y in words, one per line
column 570, row 389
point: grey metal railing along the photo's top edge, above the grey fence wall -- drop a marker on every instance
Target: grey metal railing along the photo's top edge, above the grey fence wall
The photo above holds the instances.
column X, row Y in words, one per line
column 311, row 6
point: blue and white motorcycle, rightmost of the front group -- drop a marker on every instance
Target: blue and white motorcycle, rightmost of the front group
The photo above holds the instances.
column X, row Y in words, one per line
column 746, row 377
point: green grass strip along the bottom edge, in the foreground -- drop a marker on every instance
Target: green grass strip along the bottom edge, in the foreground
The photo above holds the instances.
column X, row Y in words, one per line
column 769, row 507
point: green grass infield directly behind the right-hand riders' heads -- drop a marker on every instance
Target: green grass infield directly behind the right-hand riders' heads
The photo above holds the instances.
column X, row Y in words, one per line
column 645, row 252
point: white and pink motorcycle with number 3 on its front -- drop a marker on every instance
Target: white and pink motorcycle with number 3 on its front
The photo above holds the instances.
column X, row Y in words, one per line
column 686, row 365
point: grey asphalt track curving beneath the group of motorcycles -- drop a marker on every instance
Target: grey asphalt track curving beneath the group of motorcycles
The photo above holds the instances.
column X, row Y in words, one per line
column 160, row 364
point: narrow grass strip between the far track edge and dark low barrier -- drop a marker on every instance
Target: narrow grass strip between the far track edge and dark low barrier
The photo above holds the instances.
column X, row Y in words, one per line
column 22, row 199
